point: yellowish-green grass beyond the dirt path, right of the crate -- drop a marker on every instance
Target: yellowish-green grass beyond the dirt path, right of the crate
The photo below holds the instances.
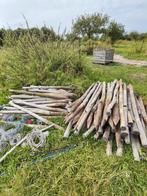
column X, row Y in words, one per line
column 127, row 49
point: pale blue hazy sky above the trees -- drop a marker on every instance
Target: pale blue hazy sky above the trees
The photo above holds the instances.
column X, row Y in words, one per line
column 131, row 13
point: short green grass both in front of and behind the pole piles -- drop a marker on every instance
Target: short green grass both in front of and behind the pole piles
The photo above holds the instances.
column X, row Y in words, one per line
column 85, row 169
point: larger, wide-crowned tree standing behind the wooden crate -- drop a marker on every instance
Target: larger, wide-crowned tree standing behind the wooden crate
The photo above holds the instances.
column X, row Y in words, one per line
column 90, row 26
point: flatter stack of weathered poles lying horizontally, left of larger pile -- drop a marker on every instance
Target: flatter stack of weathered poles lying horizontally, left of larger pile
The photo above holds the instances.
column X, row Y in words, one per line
column 41, row 102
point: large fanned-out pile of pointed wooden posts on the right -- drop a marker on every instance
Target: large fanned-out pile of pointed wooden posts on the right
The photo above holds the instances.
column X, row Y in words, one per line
column 113, row 112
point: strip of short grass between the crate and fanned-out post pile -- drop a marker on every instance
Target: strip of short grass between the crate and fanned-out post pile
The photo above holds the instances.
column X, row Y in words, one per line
column 137, row 76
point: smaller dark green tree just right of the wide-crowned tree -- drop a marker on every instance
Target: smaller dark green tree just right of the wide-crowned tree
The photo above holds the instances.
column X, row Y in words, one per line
column 115, row 31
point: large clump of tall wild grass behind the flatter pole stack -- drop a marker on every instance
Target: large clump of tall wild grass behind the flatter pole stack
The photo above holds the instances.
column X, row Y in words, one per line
column 34, row 62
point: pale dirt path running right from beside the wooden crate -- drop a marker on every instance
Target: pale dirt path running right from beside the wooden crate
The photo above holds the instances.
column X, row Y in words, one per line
column 120, row 59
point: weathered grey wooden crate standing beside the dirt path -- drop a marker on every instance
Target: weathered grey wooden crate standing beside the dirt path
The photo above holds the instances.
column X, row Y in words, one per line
column 103, row 56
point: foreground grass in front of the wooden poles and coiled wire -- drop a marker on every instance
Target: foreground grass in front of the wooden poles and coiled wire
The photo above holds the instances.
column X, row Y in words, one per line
column 85, row 170
